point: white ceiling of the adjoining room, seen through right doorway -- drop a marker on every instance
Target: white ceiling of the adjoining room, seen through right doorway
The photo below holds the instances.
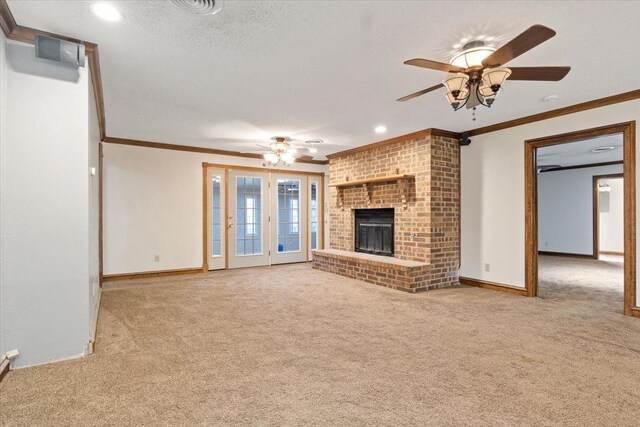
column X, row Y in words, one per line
column 579, row 152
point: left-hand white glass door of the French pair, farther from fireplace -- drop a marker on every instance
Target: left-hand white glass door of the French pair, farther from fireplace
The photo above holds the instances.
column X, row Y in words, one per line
column 248, row 216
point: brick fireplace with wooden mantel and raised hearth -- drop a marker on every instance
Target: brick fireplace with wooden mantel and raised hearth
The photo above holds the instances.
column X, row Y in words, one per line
column 417, row 178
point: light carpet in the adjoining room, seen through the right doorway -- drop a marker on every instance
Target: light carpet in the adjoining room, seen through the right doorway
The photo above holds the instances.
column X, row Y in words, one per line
column 592, row 282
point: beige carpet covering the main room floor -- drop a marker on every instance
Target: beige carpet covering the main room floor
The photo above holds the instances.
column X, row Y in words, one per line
column 289, row 345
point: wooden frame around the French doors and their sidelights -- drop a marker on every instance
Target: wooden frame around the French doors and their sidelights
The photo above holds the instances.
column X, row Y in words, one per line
column 227, row 168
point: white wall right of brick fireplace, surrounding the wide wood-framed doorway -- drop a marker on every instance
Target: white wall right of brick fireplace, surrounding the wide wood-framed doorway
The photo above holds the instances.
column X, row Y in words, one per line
column 493, row 191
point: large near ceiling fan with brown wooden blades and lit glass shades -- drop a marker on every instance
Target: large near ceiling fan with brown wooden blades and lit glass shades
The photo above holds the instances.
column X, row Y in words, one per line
column 477, row 73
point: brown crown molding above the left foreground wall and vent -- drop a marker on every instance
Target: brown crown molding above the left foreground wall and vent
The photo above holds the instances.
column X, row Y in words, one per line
column 16, row 32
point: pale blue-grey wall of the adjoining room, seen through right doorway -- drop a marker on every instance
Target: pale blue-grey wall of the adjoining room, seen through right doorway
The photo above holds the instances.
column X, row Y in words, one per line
column 565, row 209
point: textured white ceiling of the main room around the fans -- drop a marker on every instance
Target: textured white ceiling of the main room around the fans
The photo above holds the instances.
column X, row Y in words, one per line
column 328, row 69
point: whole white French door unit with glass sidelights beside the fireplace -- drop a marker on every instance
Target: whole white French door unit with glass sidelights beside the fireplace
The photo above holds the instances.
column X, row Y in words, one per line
column 254, row 217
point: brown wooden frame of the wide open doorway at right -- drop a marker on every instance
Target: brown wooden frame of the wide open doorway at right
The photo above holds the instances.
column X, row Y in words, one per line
column 628, row 130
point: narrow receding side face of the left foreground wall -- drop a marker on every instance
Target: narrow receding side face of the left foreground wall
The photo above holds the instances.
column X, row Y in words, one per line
column 94, row 210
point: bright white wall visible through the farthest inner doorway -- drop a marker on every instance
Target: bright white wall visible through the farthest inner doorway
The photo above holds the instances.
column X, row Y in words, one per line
column 612, row 217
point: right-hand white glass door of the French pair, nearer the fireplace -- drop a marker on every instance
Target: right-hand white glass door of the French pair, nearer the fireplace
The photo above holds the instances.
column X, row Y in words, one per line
column 288, row 218
